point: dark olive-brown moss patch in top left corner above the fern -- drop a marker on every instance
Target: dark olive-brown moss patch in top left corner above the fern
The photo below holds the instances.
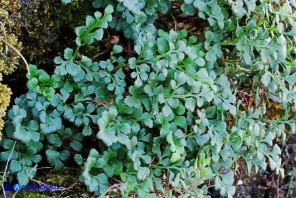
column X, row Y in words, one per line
column 46, row 27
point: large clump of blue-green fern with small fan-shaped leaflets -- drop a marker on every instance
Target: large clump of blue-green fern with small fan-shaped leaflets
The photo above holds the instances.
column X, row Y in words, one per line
column 179, row 110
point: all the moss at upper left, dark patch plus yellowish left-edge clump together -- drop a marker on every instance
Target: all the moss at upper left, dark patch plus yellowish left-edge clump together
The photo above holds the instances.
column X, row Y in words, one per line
column 38, row 25
